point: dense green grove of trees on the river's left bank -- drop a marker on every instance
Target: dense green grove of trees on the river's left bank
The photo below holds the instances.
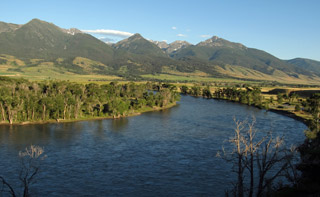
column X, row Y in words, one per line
column 21, row 100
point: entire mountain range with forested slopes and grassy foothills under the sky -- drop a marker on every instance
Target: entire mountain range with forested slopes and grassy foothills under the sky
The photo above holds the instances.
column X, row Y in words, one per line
column 73, row 51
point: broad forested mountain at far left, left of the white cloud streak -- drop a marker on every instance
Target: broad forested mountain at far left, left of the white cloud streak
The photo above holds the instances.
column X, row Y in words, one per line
column 39, row 39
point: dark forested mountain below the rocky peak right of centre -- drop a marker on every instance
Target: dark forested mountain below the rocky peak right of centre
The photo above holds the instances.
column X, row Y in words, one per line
column 222, row 52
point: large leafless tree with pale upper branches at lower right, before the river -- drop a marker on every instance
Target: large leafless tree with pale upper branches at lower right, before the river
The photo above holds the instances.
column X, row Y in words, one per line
column 262, row 158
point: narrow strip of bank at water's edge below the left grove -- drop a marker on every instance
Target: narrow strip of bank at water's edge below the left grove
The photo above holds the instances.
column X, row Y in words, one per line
column 133, row 113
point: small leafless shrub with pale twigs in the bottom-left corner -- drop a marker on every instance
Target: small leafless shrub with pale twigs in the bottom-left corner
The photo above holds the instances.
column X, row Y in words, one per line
column 30, row 165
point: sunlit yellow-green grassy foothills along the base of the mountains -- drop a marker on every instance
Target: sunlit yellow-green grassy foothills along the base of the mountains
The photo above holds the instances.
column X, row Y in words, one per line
column 38, row 69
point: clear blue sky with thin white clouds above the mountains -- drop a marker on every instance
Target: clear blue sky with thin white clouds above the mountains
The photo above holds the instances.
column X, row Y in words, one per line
column 285, row 28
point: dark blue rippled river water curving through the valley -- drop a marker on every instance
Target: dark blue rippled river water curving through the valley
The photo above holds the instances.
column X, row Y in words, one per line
column 166, row 153
